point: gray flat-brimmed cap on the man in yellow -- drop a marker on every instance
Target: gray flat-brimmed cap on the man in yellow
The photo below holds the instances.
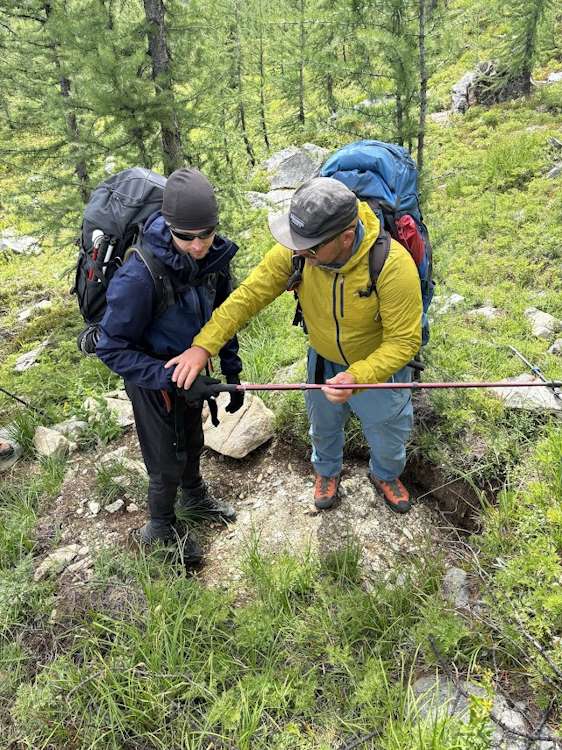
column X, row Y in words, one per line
column 320, row 208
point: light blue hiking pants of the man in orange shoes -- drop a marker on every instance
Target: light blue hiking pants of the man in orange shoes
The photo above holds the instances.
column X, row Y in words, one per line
column 386, row 418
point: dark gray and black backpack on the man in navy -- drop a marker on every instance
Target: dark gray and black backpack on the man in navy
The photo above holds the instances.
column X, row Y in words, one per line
column 111, row 225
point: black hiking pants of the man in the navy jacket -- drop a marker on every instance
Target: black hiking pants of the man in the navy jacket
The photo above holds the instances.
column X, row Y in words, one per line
column 171, row 440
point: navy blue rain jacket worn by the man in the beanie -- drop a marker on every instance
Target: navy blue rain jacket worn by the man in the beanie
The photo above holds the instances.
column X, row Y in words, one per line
column 133, row 342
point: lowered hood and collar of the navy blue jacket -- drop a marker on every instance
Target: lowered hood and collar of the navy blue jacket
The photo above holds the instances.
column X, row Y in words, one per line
column 157, row 237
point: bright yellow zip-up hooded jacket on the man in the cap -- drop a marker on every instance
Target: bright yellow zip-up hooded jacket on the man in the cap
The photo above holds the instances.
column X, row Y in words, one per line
column 376, row 335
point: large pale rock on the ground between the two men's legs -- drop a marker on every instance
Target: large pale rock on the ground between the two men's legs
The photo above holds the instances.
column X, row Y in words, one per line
column 240, row 433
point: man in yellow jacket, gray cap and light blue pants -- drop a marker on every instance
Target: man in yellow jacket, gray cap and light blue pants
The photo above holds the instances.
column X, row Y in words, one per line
column 355, row 336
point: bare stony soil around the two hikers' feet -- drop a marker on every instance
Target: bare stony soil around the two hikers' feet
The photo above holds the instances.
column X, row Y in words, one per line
column 272, row 493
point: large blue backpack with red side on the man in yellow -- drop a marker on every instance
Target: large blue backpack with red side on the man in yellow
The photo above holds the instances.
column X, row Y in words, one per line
column 386, row 177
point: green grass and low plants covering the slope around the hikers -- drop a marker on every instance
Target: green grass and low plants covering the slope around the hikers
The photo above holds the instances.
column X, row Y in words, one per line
column 311, row 659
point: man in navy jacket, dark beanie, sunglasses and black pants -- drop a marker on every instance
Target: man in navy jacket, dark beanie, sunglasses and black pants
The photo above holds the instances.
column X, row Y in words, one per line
column 135, row 343
